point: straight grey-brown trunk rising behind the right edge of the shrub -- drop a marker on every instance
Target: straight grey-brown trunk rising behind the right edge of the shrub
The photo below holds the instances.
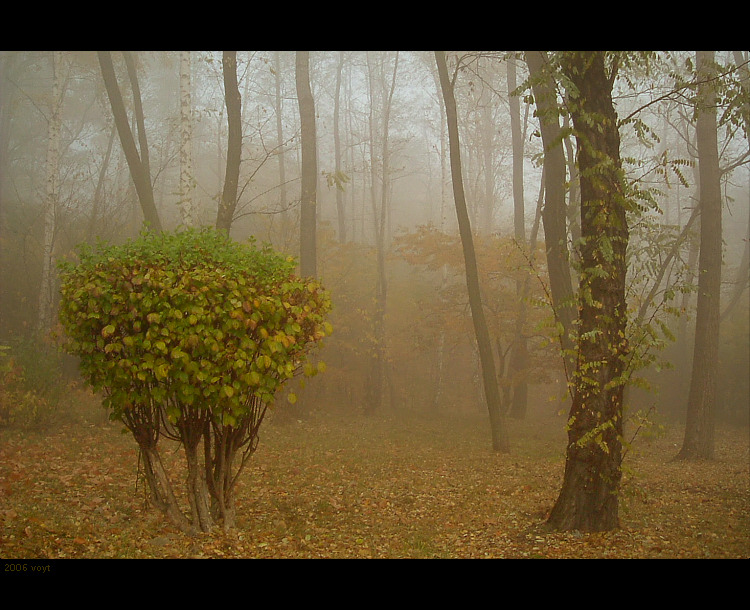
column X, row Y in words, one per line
column 309, row 178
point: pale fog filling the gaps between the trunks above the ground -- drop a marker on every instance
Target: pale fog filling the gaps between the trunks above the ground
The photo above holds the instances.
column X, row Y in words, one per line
column 51, row 201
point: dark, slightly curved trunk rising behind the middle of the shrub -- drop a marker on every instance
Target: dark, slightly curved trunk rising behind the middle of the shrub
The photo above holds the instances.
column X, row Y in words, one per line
column 233, row 101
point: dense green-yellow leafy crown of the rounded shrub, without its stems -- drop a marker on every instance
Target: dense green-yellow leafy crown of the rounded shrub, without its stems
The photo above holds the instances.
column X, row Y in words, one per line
column 189, row 318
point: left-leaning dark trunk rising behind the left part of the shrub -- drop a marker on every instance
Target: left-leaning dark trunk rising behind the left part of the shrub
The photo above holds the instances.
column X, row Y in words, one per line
column 139, row 171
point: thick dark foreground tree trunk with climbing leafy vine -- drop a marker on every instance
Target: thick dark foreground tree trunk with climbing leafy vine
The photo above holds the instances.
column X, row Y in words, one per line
column 588, row 500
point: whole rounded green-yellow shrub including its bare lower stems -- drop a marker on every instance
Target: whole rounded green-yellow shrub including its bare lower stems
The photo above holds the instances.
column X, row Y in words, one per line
column 190, row 335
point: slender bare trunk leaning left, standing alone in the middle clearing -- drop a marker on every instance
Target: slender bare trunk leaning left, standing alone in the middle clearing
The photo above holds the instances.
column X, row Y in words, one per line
column 500, row 441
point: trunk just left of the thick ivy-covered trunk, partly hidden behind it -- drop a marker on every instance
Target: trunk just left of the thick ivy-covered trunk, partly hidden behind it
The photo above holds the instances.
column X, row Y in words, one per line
column 554, row 214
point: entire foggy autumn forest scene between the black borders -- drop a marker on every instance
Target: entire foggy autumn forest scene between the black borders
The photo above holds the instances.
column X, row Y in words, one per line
column 374, row 304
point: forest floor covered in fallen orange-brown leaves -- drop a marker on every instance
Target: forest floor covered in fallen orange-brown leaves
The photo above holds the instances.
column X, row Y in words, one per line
column 398, row 486
